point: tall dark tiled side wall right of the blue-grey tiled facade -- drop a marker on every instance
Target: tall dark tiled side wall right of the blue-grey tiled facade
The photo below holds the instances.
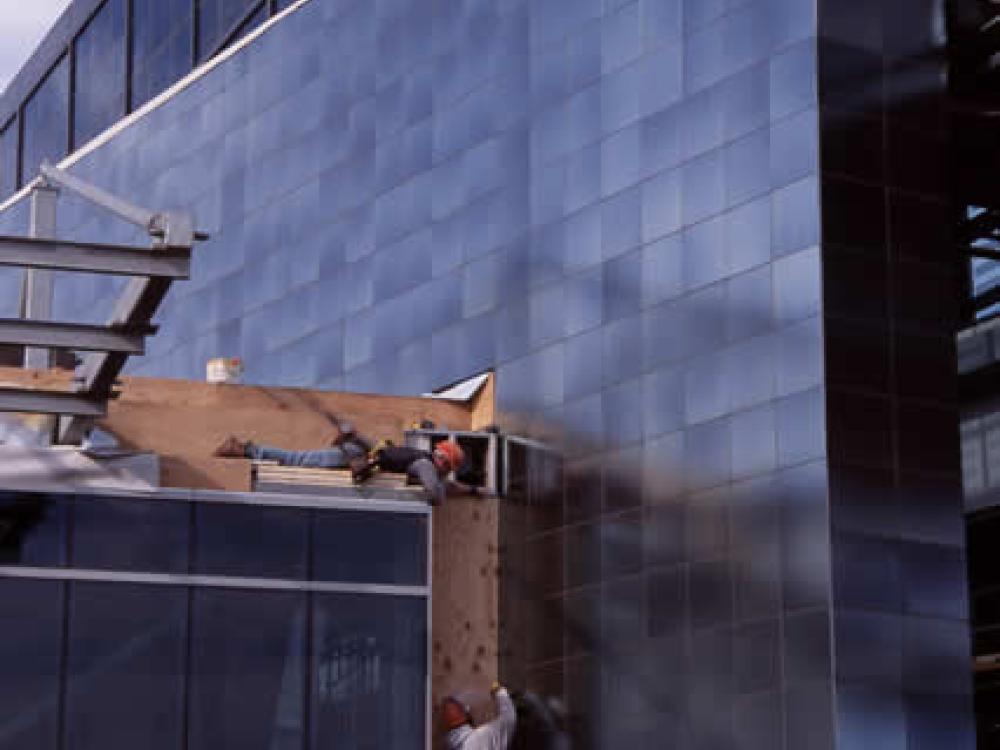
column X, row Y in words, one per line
column 890, row 291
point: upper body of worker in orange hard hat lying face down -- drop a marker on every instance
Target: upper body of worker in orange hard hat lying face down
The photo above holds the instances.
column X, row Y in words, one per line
column 430, row 469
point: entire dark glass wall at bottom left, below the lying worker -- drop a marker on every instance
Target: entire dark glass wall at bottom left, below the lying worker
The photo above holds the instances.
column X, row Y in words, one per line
column 256, row 653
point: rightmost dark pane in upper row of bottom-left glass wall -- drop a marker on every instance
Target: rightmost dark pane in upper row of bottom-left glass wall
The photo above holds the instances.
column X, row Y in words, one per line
column 360, row 547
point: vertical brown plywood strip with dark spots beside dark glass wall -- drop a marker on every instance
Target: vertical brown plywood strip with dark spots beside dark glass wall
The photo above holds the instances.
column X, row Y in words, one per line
column 466, row 604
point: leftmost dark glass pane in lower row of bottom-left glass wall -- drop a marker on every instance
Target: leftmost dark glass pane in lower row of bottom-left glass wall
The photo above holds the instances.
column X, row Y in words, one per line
column 31, row 622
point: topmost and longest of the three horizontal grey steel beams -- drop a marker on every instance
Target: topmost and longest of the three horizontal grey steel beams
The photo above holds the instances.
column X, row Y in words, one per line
column 115, row 260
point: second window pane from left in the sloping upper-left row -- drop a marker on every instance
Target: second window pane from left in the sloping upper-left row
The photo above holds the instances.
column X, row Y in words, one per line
column 46, row 121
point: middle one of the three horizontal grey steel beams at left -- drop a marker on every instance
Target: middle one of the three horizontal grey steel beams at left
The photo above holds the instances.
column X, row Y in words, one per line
column 73, row 336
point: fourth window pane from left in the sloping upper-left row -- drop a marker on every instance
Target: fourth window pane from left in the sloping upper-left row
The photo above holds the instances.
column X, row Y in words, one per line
column 161, row 52
